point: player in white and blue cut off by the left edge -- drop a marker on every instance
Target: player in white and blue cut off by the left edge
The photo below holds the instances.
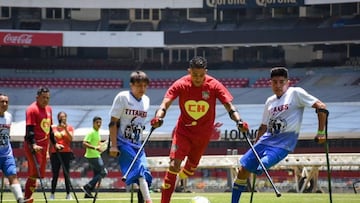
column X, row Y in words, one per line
column 7, row 160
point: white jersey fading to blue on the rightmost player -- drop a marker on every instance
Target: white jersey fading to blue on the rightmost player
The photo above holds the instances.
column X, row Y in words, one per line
column 283, row 117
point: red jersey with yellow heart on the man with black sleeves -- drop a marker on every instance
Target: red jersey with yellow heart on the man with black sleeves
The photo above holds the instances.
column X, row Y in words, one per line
column 41, row 119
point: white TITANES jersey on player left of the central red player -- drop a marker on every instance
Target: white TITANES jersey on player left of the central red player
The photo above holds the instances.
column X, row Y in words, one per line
column 132, row 114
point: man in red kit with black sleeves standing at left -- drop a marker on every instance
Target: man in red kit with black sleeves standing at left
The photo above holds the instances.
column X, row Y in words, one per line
column 38, row 132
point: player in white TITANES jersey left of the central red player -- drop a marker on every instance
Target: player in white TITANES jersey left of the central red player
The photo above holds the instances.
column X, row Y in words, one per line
column 128, row 114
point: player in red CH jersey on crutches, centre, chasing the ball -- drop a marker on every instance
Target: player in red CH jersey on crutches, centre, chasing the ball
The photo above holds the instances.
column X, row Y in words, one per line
column 197, row 93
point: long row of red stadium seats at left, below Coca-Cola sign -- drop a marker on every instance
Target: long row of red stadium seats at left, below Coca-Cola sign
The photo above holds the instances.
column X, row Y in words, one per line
column 107, row 83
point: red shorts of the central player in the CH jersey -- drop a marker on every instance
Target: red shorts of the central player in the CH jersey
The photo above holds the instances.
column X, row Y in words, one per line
column 183, row 146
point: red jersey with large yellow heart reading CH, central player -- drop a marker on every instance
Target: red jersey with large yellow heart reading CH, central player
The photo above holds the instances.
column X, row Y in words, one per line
column 197, row 104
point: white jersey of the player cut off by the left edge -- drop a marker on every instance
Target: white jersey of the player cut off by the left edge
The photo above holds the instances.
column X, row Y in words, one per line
column 5, row 146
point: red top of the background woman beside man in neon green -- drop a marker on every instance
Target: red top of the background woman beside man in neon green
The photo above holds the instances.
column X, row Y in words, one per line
column 63, row 138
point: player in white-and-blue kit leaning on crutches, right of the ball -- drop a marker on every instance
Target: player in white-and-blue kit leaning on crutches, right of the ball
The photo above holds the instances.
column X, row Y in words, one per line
column 279, row 130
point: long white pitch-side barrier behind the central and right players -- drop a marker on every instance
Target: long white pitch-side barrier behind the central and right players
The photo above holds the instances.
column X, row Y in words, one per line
column 304, row 165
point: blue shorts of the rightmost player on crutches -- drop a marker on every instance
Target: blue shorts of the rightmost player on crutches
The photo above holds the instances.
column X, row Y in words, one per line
column 268, row 155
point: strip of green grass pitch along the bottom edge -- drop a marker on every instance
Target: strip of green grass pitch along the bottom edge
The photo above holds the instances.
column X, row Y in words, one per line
column 119, row 197
